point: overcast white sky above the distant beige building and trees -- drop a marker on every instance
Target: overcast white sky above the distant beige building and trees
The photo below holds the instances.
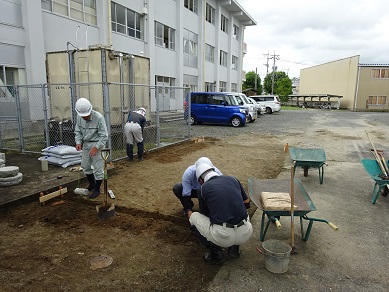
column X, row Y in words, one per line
column 304, row 33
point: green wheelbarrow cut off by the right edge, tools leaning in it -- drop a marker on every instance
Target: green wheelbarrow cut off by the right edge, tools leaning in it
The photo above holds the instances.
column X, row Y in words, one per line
column 373, row 169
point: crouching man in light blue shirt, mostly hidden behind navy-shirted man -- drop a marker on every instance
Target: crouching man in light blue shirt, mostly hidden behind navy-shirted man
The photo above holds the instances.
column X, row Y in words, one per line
column 189, row 185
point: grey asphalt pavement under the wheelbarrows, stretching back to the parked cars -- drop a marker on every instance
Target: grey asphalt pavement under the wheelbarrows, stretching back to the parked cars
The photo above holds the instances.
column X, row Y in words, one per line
column 349, row 259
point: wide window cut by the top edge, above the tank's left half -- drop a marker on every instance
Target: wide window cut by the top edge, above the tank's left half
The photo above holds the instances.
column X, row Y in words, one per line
column 82, row 10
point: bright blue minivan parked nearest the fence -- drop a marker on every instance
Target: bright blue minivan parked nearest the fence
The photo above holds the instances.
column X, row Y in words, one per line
column 218, row 108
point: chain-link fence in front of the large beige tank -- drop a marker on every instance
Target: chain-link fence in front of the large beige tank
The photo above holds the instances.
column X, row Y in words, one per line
column 33, row 117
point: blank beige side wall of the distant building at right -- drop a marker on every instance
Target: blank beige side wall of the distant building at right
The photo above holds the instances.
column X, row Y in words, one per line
column 338, row 77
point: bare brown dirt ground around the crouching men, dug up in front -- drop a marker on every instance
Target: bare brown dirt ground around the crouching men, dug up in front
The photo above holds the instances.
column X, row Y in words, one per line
column 53, row 247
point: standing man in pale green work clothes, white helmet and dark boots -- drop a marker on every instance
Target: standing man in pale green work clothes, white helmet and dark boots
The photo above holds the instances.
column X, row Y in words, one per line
column 91, row 136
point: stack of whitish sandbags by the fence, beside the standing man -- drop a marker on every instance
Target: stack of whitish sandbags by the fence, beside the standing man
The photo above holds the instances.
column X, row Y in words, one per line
column 61, row 155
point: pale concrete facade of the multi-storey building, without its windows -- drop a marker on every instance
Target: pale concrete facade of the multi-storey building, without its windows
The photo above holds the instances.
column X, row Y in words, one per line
column 29, row 29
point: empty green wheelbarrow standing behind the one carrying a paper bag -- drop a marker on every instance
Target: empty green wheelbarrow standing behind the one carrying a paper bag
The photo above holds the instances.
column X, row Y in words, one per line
column 307, row 158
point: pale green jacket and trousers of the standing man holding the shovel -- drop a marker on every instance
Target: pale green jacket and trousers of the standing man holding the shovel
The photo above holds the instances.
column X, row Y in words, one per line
column 92, row 133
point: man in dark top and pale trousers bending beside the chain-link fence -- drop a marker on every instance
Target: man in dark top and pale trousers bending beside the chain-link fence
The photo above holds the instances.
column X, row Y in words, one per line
column 133, row 130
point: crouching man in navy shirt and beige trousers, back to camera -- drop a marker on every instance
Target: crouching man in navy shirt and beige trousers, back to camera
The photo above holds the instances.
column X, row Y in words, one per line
column 223, row 221
